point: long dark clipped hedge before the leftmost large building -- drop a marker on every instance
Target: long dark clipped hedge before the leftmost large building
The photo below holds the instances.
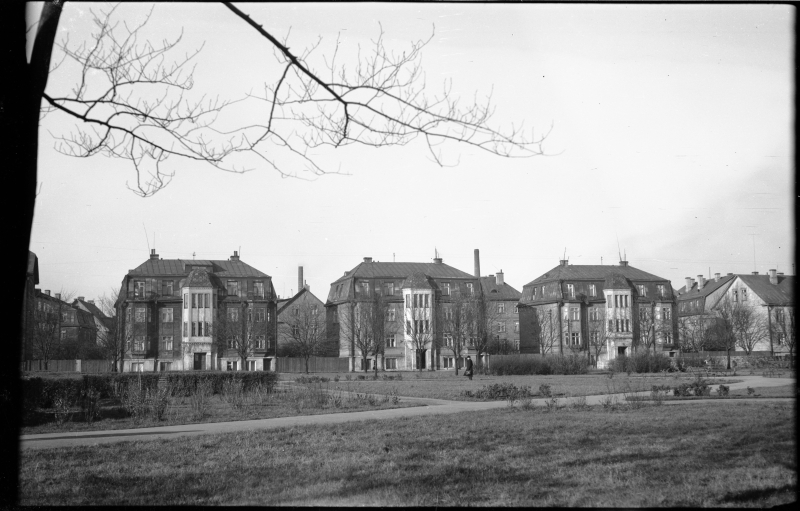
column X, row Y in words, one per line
column 39, row 392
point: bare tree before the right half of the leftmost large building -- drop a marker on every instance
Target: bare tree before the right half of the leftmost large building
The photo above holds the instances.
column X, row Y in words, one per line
column 241, row 329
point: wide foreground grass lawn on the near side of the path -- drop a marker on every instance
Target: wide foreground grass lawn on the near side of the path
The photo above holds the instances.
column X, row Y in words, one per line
column 645, row 457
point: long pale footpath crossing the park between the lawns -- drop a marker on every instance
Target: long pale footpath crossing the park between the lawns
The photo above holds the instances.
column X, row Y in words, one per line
column 425, row 407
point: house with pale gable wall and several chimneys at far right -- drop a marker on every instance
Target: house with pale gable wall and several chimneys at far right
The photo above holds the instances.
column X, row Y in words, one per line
column 770, row 297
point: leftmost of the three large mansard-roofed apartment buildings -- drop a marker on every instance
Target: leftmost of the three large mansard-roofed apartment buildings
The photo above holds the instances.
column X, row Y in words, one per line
column 177, row 314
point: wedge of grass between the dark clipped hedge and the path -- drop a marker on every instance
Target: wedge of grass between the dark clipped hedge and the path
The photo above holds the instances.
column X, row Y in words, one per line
column 287, row 402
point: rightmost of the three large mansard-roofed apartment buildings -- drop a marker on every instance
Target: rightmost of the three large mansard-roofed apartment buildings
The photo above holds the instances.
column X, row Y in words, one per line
column 600, row 311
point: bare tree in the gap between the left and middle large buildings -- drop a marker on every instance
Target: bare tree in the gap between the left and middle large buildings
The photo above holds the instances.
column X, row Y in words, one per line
column 303, row 333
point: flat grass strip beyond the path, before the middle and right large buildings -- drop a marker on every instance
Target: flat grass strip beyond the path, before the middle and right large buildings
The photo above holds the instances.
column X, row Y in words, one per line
column 446, row 385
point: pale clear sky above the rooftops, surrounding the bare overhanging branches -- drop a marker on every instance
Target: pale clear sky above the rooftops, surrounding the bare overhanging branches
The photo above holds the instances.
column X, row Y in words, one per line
column 671, row 142
